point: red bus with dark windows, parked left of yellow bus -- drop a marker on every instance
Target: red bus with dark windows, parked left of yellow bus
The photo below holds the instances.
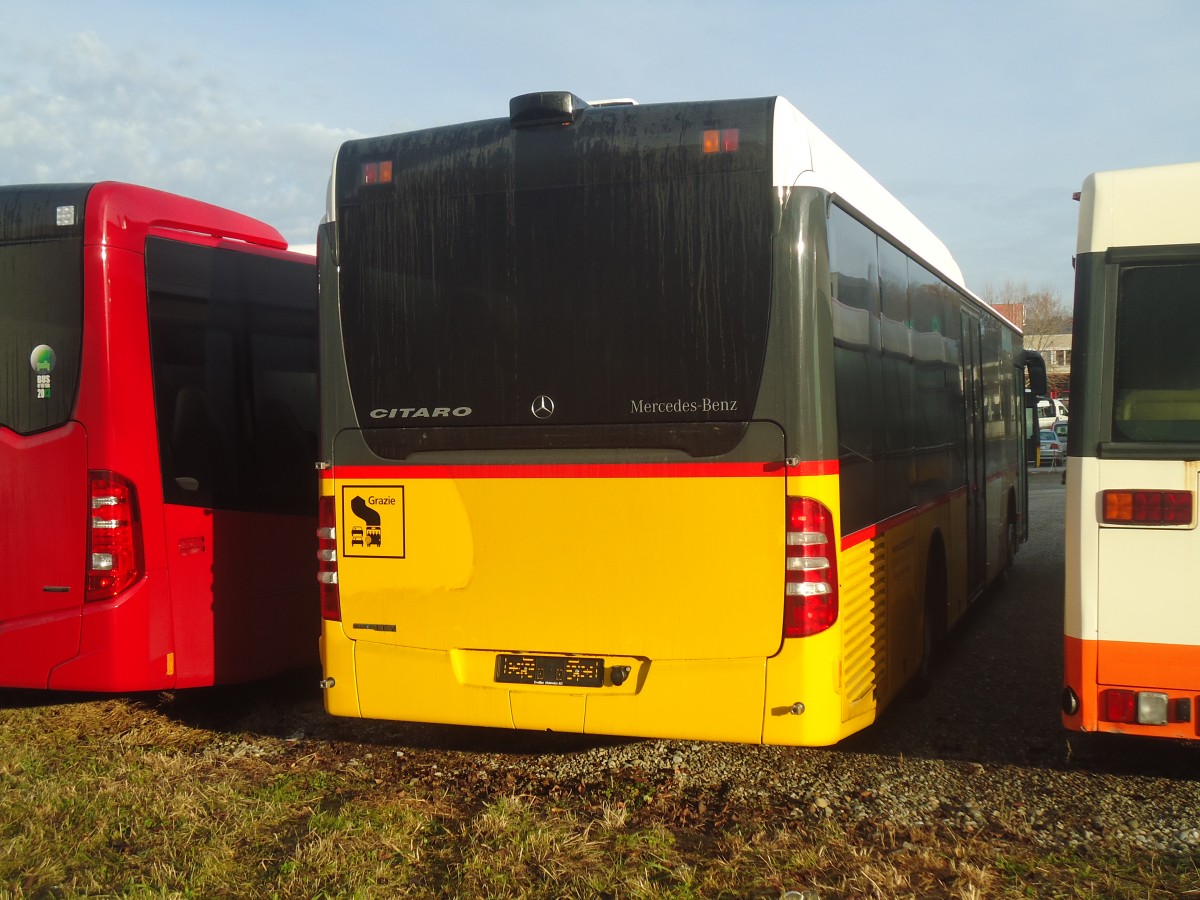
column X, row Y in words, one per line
column 158, row 436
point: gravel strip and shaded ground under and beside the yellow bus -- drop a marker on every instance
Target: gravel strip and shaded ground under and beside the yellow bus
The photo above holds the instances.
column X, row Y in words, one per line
column 982, row 754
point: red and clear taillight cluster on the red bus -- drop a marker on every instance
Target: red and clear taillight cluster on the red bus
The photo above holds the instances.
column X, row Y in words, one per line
column 115, row 536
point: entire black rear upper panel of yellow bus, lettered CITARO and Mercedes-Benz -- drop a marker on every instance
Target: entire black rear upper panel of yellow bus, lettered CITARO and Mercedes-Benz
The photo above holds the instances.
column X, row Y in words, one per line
column 611, row 268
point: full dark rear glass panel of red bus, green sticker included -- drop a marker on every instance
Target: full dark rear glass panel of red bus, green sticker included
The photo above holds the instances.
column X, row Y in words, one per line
column 41, row 305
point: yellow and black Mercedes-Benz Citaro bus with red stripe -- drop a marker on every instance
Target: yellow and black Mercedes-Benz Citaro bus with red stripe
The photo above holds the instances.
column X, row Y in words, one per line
column 651, row 421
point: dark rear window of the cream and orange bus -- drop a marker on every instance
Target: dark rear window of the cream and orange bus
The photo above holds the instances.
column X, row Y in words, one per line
column 1157, row 373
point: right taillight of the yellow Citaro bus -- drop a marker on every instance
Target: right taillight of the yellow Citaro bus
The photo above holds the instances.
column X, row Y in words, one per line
column 811, row 580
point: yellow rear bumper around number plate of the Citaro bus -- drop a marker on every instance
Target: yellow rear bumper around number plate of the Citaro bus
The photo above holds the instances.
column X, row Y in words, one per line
column 779, row 700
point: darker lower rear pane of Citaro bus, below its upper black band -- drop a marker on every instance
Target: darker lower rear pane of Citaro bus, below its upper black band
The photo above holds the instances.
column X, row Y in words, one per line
column 617, row 308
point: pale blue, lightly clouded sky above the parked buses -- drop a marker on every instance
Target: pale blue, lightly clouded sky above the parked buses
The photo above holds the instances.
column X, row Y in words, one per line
column 982, row 117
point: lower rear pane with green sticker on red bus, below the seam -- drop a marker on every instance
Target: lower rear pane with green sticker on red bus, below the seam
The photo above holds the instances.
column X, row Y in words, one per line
column 41, row 332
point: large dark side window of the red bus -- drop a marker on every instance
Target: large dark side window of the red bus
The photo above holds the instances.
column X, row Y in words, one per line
column 235, row 347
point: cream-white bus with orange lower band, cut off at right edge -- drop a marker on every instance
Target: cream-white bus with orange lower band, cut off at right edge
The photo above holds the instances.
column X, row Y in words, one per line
column 1133, row 554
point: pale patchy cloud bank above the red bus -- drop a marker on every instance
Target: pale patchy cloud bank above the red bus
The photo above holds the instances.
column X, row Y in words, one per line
column 77, row 111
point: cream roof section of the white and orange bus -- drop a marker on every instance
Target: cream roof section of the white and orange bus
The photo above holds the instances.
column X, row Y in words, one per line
column 1139, row 208
